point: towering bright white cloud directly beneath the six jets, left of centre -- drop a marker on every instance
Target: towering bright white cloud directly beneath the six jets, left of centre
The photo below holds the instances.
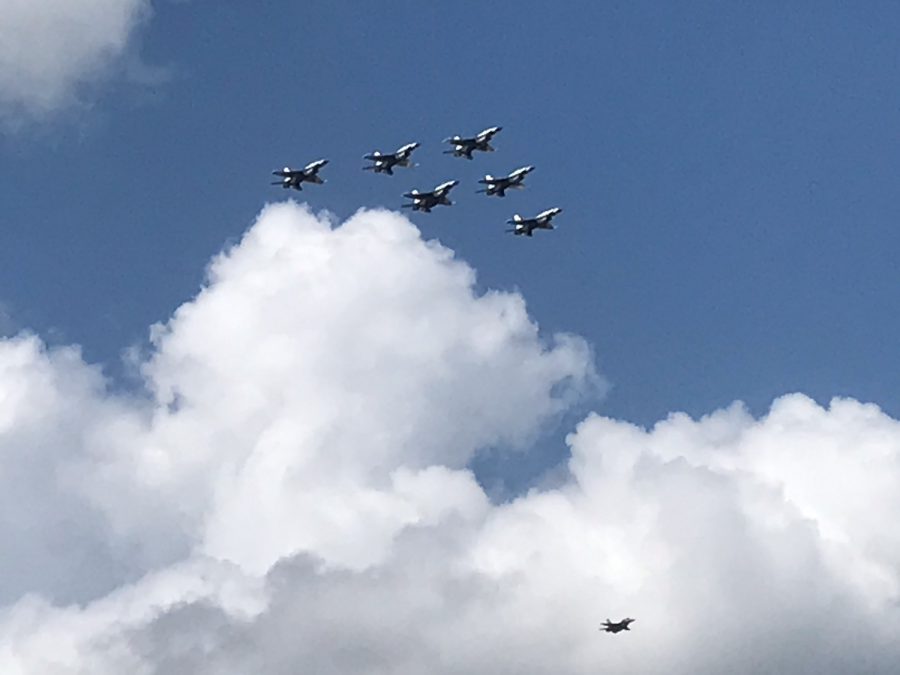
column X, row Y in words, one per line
column 307, row 400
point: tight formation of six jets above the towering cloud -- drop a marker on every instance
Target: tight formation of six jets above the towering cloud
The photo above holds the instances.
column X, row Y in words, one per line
column 461, row 146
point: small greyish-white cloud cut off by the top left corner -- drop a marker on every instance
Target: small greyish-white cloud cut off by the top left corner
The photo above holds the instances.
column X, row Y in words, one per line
column 51, row 48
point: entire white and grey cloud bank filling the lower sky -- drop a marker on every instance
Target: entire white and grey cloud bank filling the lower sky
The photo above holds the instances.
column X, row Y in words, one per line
column 292, row 494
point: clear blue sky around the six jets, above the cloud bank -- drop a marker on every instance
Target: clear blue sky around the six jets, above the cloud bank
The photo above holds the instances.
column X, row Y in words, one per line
column 728, row 177
